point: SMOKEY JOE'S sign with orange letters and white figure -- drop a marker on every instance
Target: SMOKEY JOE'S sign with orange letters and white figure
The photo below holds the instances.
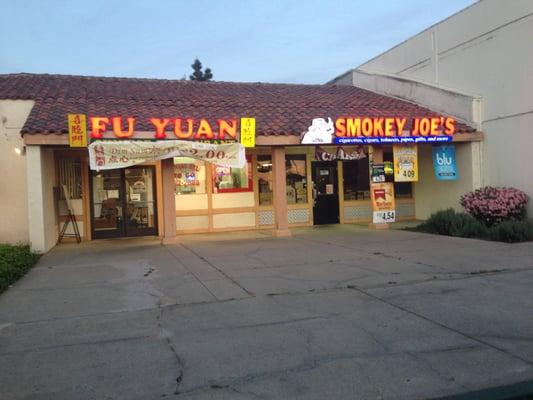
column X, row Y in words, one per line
column 368, row 130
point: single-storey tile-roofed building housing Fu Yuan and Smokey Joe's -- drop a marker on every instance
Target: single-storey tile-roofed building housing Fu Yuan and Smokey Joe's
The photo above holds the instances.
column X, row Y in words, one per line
column 304, row 155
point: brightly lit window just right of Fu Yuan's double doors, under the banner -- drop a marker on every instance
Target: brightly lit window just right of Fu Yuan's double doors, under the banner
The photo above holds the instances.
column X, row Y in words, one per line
column 189, row 175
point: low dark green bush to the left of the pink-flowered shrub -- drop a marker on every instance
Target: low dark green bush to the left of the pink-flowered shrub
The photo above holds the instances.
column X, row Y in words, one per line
column 448, row 222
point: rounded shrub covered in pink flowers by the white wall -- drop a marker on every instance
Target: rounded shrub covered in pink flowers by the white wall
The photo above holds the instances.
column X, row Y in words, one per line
column 493, row 205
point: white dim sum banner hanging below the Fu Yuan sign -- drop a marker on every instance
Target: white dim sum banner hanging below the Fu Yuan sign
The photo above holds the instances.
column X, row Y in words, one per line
column 104, row 154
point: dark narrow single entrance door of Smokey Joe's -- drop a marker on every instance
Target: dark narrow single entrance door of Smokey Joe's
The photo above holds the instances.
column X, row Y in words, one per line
column 325, row 193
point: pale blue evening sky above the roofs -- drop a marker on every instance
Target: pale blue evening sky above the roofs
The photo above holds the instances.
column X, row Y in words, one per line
column 278, row 41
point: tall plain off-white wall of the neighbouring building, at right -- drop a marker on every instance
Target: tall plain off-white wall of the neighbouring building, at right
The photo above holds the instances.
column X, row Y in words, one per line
column 484, row 50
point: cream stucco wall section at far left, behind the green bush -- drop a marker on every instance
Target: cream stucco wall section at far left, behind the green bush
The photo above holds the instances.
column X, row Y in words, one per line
column 13, row 193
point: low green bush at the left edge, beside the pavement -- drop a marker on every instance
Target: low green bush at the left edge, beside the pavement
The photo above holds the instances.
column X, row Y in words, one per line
column 15, row 261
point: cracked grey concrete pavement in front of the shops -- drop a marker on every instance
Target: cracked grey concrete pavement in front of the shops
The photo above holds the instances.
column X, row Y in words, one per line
column 334, row 312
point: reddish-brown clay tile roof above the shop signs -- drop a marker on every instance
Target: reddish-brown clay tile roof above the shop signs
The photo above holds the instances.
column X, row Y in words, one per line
column 279, row 109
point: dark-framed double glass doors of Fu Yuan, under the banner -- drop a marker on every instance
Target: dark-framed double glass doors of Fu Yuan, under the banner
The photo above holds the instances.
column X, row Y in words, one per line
column 123, row 202
